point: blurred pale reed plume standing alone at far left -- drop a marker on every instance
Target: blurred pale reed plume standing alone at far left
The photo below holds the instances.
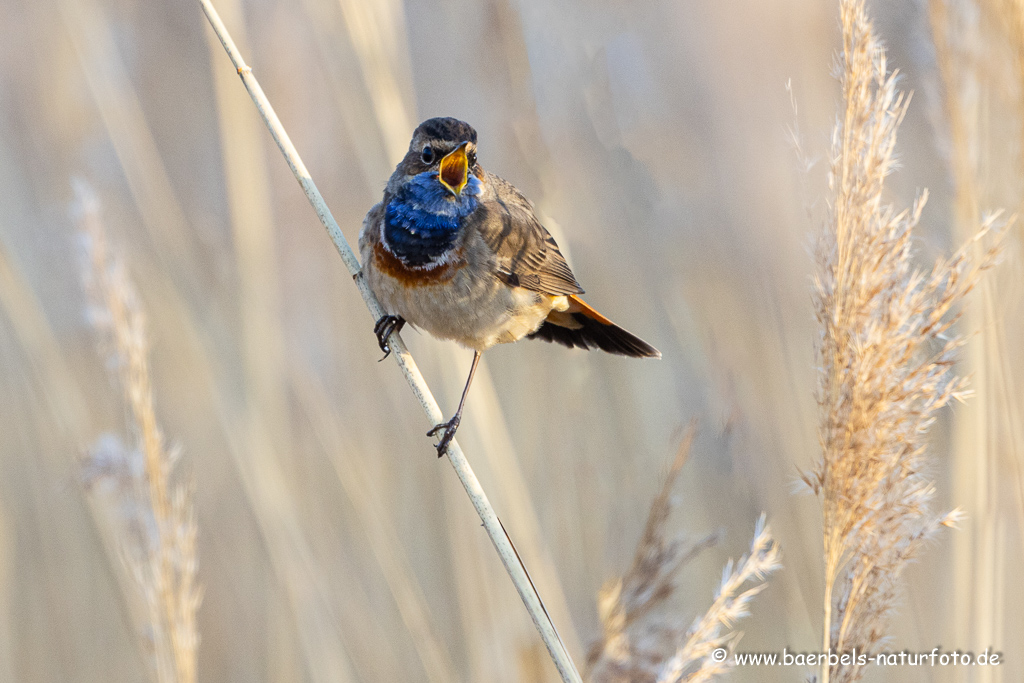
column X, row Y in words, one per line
column 154, row 521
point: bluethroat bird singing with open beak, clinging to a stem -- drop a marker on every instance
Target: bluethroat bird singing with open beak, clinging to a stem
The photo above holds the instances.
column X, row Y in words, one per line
column 459, row 252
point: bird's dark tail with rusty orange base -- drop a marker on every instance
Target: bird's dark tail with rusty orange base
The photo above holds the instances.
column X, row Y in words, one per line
column 583, row 327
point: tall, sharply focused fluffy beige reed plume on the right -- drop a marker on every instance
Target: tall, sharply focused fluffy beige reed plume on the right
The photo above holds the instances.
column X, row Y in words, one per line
column 886, row 354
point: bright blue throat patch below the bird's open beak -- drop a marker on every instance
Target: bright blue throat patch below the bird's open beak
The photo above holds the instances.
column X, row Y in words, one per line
column 422, row 221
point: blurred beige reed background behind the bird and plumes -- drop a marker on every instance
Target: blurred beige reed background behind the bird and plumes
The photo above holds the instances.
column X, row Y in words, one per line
column 333, row 545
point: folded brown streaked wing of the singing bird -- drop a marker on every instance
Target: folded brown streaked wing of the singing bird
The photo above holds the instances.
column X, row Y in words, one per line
column 527, row 254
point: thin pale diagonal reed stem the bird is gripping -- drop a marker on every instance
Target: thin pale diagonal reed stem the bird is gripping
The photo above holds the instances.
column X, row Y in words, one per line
column 515, row 567
